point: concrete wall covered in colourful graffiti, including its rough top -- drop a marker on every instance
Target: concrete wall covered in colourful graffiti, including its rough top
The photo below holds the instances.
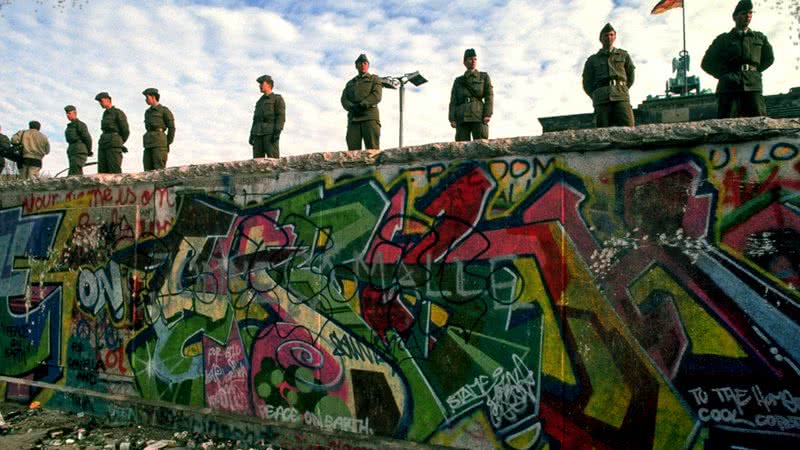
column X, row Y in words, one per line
column 588, row 289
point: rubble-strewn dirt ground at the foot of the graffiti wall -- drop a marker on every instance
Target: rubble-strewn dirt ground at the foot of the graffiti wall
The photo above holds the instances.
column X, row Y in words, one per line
column 23, row 427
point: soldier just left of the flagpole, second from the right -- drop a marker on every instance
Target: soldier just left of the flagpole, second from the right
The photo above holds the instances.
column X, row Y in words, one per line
column 607, row 76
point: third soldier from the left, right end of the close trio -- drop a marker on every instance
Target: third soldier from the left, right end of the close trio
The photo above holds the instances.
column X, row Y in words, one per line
column 157, row 119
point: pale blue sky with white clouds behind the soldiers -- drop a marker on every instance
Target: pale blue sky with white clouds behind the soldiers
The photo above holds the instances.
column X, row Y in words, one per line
column 204, row 57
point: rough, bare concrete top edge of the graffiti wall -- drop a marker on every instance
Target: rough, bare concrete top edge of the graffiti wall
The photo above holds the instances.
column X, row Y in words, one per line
column 642, row 137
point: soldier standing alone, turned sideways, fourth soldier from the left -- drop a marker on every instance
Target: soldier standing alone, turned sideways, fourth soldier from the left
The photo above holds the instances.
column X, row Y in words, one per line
column 268, row 119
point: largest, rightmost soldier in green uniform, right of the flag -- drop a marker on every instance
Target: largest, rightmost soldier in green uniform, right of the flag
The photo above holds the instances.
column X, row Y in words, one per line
column 736, row 59
